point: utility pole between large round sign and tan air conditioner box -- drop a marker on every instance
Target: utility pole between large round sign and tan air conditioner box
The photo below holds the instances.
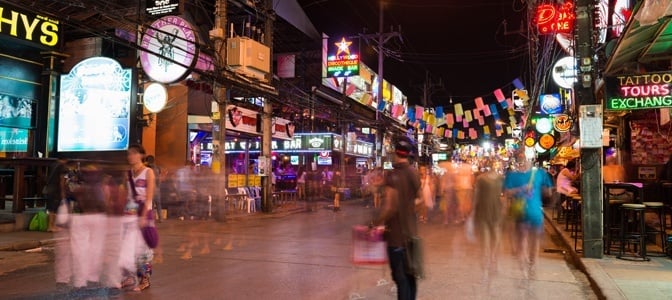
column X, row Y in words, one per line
column 219, row 128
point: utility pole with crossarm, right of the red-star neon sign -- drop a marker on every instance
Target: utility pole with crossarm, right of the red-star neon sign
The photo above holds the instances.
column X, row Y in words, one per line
column 381, row 38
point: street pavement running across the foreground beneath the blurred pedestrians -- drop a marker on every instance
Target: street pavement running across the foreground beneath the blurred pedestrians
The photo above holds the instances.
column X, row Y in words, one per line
column 307, row 256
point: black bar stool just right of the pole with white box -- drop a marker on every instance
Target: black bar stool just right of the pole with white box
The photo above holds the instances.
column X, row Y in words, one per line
column 633, row 230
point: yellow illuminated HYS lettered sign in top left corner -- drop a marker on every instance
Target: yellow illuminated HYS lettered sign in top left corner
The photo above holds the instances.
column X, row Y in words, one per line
column 30, row 27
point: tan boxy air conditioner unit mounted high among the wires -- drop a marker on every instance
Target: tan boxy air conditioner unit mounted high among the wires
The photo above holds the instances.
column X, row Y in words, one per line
column 248, row 57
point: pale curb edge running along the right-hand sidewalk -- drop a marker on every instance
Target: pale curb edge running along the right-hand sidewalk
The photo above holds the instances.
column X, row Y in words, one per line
column 603, row 286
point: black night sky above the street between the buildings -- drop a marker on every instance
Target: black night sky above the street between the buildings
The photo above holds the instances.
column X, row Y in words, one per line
column 465, row 44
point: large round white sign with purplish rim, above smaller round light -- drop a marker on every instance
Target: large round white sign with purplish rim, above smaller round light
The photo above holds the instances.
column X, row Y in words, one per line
column 170, row 49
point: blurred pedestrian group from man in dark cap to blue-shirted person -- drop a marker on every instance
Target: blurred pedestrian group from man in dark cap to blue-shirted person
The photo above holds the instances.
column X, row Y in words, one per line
column 479, row 195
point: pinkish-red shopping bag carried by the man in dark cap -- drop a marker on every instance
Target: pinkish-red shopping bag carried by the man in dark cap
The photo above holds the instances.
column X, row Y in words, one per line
column 368, row 246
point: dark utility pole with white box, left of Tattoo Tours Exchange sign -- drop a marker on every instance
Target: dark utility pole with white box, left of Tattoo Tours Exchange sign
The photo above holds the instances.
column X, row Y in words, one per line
column 591, row 158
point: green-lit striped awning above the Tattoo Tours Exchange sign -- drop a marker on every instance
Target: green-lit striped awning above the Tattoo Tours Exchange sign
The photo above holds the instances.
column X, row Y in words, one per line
column 643, row 43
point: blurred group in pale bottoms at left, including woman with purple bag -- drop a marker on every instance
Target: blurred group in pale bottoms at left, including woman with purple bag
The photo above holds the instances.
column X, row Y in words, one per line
column 100, row 215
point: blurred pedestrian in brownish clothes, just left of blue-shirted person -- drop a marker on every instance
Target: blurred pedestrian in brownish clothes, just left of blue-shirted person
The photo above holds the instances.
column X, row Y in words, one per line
column 488, row 215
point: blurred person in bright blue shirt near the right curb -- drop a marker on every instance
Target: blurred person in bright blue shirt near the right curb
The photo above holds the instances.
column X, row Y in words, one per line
column 528, row 183
